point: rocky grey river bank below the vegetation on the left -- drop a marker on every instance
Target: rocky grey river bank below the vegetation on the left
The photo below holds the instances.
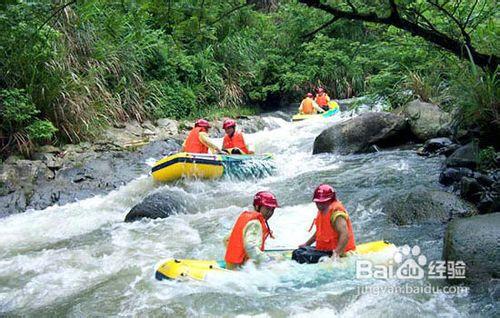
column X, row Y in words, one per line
column 61, row 175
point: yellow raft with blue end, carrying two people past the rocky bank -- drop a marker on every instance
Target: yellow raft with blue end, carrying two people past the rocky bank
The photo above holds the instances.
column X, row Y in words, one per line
column 208, row 166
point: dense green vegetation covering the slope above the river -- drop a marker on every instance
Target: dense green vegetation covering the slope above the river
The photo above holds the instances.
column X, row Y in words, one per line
column 70, row 68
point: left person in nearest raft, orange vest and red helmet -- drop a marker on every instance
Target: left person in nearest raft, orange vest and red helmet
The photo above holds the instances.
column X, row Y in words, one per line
column 249, row 233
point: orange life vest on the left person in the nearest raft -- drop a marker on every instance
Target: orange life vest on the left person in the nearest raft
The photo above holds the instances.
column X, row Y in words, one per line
column 235, row 253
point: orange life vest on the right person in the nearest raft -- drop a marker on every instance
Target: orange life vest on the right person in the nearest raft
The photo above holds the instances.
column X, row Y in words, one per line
column 326, row 236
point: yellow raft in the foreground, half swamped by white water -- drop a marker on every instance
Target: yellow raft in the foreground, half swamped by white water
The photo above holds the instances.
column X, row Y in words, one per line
column 198, row 269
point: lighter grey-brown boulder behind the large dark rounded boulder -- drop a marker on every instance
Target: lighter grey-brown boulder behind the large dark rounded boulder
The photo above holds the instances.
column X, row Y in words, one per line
column 427, row 120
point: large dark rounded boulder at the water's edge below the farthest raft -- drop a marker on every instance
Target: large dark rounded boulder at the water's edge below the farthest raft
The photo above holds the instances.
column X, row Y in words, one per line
column 359, row 134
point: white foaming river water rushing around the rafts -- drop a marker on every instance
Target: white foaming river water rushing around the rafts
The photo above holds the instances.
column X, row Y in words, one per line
column 82, row 260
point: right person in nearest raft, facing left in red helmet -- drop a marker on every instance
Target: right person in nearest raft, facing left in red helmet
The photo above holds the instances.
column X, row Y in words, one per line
column 334, row 236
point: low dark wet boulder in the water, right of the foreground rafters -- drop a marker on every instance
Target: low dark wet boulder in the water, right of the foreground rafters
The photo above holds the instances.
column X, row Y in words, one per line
column 424, row 205
